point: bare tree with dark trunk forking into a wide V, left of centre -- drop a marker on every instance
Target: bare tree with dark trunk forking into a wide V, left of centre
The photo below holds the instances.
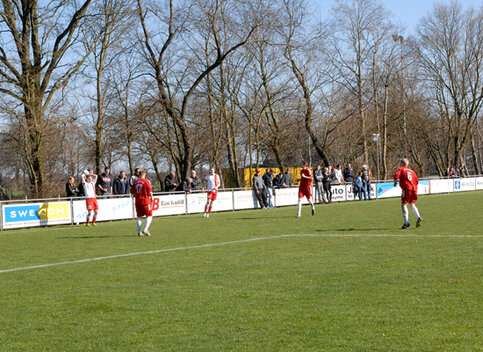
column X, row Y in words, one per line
column 172, row 80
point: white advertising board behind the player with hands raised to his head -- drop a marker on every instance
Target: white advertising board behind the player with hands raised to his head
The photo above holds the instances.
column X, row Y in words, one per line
column 109, row 209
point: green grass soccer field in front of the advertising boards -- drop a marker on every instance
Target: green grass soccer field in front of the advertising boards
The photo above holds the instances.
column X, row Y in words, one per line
column 347, row 279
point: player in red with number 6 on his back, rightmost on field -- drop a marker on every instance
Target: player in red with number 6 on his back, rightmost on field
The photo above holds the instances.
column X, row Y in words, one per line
column 408, row 181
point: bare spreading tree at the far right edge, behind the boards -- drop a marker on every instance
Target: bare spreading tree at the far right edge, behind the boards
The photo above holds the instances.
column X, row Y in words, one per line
column 451, row 54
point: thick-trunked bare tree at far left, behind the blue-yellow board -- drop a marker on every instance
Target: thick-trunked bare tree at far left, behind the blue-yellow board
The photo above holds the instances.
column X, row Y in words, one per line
column 38, row 57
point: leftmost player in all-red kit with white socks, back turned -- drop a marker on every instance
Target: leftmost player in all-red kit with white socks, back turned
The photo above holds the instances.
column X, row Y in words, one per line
column 143, row 193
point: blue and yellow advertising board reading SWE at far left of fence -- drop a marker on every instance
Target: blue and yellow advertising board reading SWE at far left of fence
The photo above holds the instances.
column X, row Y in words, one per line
column 35, row 214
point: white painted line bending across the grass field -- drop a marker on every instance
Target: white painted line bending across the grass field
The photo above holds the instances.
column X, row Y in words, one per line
column 226, row 243
